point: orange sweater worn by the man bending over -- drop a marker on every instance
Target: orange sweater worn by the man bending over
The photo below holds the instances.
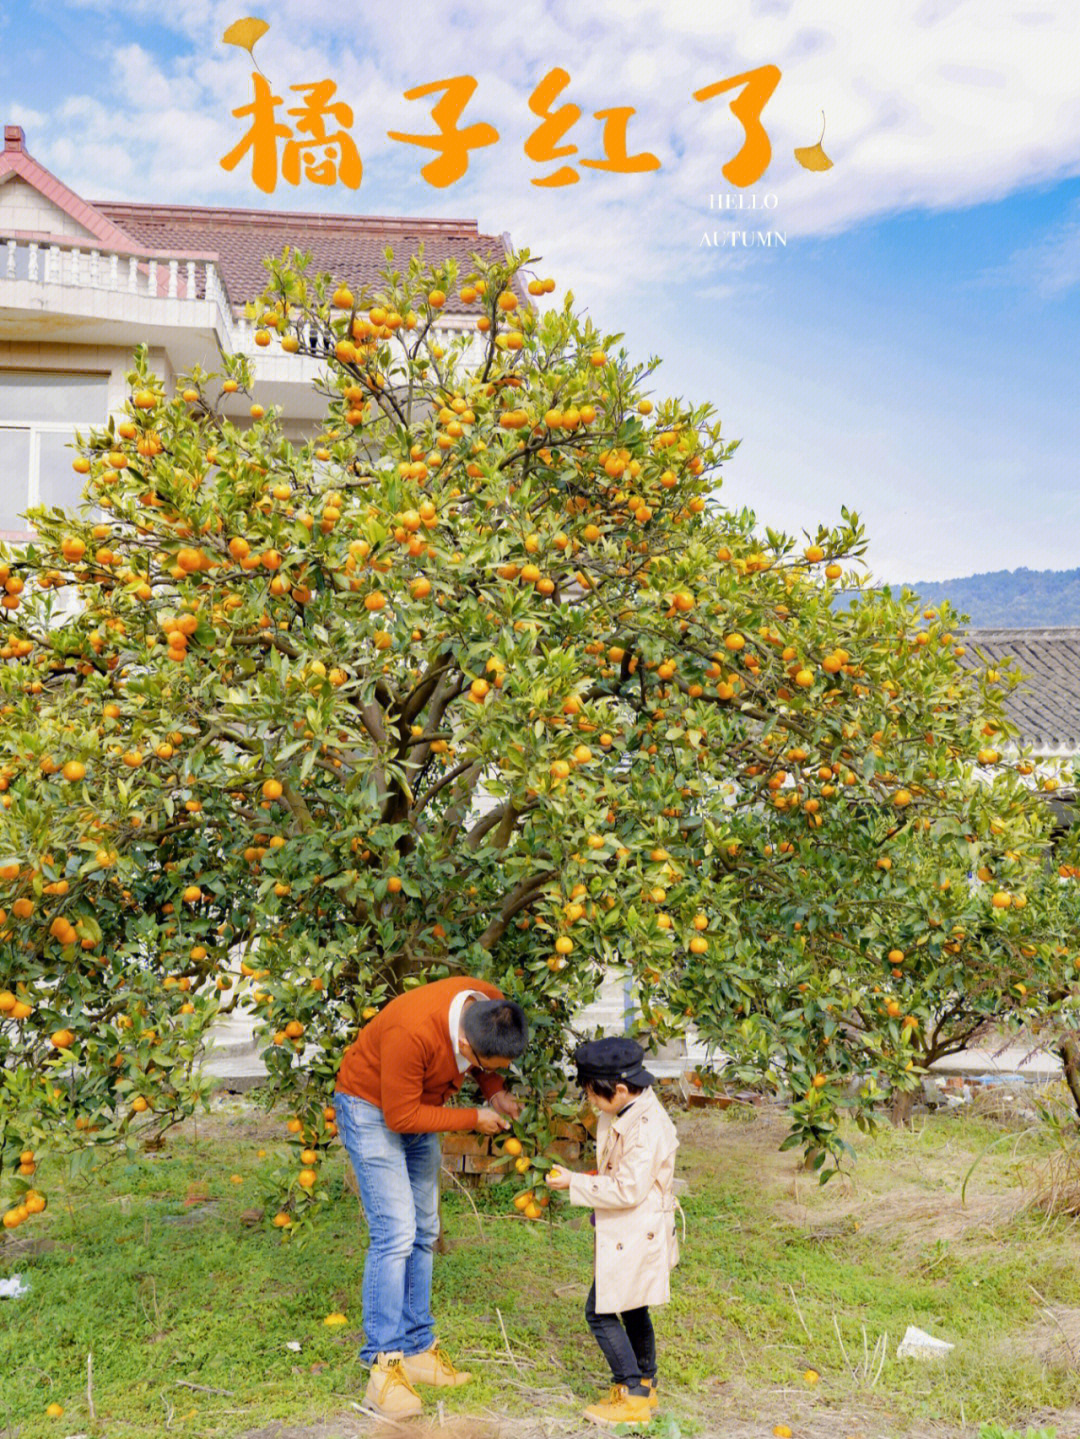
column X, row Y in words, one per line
column 405, row 1064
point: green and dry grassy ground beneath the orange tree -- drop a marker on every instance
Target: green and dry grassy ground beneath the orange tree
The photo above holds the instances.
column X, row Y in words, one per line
column 191, row 1315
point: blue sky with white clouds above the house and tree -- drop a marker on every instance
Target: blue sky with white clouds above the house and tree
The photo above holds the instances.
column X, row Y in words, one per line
column 911, row 353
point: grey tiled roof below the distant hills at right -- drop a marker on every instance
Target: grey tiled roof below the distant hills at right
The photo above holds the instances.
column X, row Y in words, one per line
column 1046, row 707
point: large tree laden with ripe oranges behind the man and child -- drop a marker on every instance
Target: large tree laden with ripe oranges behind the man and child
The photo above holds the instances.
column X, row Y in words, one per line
column 484, row 678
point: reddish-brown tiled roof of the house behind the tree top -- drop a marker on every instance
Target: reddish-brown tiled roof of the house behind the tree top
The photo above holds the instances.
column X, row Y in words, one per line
column 350, row 247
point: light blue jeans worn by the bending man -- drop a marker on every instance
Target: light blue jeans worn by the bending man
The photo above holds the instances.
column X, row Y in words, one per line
column 399, row 1188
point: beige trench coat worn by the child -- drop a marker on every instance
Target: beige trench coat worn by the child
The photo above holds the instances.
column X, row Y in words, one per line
column 633, row 1197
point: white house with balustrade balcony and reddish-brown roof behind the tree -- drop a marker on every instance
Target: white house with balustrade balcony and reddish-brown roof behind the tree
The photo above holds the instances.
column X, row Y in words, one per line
column 84, row 281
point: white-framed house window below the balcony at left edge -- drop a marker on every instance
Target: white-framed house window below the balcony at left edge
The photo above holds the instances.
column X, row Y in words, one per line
column 40, row 415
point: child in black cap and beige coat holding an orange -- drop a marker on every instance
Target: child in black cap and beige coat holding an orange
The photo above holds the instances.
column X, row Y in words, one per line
column 633, row 1201
